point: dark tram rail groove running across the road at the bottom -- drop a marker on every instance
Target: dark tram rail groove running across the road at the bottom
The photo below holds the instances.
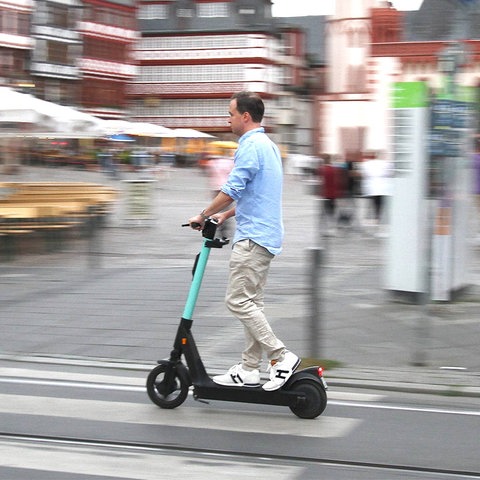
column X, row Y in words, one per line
column 164, row 448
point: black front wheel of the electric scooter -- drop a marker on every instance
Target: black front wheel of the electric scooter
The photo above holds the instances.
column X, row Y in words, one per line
column 167, row 388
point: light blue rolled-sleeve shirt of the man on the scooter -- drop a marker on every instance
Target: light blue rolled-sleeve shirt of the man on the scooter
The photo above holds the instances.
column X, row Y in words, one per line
column 255, row 183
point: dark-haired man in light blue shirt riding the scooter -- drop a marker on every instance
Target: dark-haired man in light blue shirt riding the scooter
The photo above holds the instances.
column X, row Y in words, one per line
column 255, row 184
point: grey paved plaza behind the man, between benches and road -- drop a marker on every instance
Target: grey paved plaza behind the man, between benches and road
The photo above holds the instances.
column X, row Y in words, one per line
column 118, row 297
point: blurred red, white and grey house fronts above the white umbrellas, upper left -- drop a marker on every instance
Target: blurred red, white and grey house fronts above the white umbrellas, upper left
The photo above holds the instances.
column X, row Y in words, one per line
column 74, row 52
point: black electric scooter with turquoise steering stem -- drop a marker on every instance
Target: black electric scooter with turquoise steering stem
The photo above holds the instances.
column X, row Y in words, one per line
column 168, row 383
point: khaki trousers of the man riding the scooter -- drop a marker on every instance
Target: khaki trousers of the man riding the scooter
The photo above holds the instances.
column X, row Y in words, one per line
column 249, row 265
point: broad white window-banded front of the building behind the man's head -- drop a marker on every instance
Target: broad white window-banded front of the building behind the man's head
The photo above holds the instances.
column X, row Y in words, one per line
column 187, row 87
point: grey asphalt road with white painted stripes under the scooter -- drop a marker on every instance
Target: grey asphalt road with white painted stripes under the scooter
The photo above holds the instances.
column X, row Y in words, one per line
column 74, row 422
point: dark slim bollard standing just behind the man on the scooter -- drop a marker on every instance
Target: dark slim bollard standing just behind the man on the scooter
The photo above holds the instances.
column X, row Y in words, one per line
column 315, row 260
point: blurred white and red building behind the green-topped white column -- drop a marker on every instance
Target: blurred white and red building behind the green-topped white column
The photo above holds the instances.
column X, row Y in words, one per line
column 366, row 55
